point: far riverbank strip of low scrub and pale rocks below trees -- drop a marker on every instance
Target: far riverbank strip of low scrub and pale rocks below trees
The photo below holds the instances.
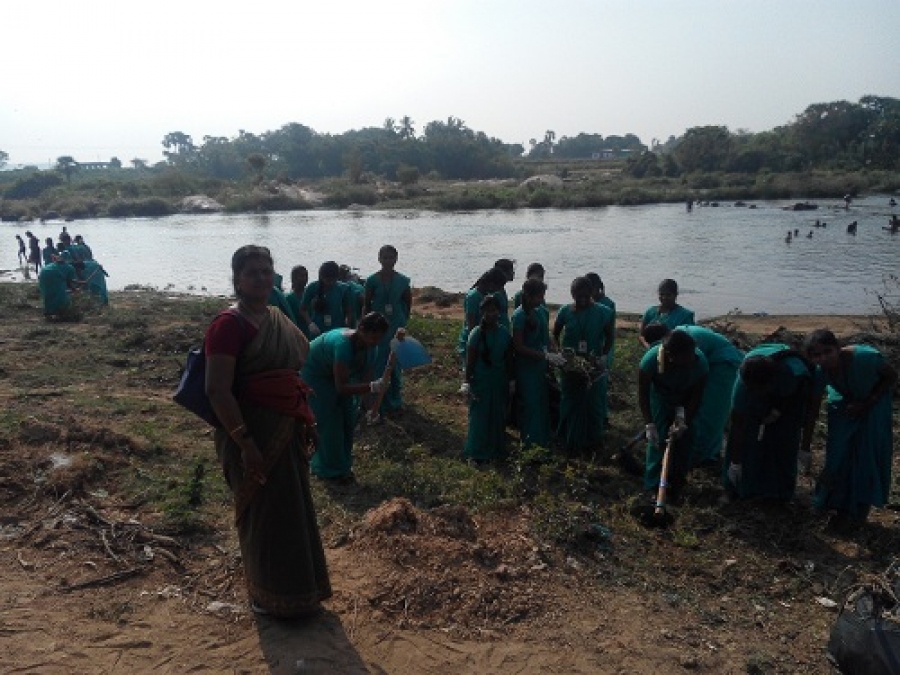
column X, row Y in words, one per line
column 161, row 192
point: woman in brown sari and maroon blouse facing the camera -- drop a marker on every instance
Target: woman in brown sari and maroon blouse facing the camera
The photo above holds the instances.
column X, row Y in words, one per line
column 267, row 434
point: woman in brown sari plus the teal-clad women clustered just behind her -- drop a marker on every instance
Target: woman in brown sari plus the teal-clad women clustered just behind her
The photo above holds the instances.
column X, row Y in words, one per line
column 284, row 375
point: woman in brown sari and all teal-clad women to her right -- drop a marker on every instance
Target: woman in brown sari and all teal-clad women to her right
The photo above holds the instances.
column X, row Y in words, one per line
column 288, row 405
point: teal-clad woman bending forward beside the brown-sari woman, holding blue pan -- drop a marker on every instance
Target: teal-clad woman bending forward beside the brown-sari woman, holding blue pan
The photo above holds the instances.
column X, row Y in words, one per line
column 339, row 370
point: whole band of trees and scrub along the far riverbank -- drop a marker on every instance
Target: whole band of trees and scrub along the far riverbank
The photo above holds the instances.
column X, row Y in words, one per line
column 828, row 151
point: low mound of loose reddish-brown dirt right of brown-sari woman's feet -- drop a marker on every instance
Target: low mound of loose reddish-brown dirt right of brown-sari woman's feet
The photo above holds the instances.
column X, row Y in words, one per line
column 442, row 569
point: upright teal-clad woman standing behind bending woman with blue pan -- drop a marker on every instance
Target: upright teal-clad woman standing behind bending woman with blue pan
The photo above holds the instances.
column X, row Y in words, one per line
column 389, row 293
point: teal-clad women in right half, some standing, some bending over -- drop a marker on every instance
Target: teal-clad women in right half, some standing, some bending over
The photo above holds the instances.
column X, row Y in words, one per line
column 693, row 385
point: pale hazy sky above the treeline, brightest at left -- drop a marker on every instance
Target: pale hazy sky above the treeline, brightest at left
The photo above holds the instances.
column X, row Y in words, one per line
column 96, row 78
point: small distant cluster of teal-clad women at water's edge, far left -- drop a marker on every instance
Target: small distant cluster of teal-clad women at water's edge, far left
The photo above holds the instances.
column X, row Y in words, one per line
column 68, row 266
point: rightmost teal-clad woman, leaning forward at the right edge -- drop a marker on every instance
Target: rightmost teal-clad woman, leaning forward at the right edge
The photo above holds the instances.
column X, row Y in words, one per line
column 857, row 471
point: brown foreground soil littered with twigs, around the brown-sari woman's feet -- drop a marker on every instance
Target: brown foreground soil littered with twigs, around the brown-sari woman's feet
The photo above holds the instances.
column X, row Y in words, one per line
column 96, row 579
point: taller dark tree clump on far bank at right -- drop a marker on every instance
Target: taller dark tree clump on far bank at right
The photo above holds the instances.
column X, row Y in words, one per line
column 837, row 136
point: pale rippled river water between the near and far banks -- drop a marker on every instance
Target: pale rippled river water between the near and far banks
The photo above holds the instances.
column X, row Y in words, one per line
column 723, row 258
